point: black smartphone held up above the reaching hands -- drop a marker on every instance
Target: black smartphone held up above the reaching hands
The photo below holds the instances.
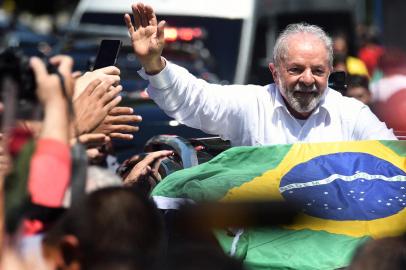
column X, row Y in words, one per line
column 108, row 53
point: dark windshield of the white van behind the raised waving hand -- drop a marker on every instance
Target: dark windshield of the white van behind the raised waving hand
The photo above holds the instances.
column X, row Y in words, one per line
column 212, row 55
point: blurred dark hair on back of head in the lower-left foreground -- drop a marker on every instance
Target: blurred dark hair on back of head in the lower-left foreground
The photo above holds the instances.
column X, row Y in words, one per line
column 114, row 221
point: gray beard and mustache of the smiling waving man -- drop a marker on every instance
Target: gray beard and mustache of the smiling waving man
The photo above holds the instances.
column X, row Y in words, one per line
column 300, row 105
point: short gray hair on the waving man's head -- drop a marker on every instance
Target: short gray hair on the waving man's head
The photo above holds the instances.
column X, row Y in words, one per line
column 281, row 46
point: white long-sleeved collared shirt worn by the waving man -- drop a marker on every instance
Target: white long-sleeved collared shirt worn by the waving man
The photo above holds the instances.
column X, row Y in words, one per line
column 257, row 115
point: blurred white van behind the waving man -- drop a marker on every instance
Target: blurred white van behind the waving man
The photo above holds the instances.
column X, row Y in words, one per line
column 234, row 39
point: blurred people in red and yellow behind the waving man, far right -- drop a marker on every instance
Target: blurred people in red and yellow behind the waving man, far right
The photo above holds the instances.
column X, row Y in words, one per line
column 375, row 76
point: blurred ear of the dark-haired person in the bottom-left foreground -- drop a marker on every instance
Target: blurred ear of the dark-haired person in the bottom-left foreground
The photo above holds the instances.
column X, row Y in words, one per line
column 69, row 246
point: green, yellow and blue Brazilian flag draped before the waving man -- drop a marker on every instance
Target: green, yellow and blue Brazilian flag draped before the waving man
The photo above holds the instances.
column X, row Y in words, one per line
column 348, row 192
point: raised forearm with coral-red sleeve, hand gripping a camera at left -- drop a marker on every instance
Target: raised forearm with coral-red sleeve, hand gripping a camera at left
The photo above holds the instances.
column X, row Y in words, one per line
column 50, row 166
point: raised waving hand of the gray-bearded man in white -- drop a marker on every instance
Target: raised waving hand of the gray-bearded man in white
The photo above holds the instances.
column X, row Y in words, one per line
column 147, row 37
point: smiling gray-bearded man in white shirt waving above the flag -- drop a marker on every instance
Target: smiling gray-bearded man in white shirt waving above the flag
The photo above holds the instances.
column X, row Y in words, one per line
column 299, row 106
